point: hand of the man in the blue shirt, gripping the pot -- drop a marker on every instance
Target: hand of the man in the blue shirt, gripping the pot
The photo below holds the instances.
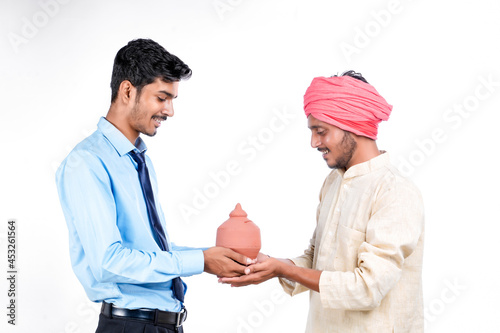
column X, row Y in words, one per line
column 225, row 262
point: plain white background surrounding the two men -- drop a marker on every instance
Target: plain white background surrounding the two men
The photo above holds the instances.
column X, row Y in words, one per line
column 252, row 60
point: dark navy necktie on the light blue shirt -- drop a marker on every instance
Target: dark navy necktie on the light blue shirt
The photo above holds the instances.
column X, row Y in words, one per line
column 142, row 169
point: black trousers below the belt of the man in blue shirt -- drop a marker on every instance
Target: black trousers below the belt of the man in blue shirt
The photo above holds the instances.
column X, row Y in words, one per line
column 126, row 325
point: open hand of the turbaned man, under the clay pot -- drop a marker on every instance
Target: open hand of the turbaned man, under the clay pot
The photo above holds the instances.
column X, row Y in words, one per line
column 266, row 268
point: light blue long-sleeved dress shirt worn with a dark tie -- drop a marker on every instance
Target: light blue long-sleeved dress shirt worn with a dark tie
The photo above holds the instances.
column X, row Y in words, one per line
column 112, row 248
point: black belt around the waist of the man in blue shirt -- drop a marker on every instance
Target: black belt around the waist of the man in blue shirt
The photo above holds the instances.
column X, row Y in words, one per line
column 153, row 316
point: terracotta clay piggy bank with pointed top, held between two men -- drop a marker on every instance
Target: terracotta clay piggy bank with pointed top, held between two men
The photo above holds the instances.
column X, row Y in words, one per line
column 239, row 234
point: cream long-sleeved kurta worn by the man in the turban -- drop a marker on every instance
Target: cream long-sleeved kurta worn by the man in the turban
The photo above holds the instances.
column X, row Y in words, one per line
column 369, row 244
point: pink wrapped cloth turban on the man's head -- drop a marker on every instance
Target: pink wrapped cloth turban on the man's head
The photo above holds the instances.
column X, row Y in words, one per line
column 348, row 103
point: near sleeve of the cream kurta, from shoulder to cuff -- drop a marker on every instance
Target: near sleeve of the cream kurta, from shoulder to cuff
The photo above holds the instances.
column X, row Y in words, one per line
column 392, row 234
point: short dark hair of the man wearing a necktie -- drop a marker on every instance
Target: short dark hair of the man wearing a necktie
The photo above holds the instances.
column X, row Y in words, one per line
column 141, row 62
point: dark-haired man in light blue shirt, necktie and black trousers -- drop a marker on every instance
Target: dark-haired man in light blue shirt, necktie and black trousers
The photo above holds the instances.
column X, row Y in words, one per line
column 114, row 248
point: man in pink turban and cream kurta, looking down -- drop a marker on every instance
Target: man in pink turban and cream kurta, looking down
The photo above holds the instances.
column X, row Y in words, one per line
column 363, row 265
